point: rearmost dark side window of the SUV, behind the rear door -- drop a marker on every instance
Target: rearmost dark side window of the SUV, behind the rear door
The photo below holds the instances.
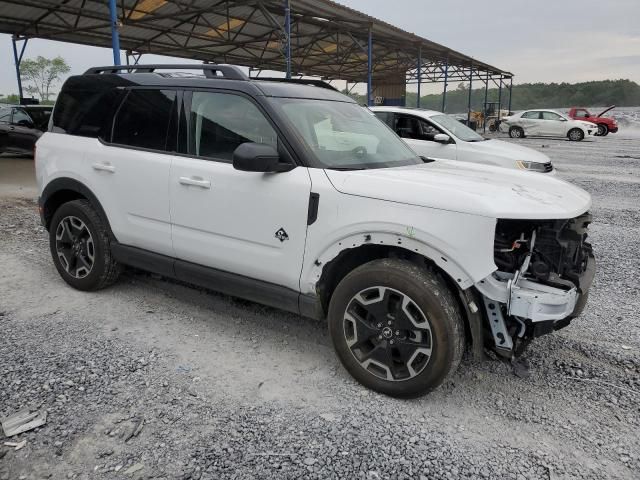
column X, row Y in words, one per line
column 86, row 105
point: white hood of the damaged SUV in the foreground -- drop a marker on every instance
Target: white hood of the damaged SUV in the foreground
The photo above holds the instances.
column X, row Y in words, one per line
column 468, row 188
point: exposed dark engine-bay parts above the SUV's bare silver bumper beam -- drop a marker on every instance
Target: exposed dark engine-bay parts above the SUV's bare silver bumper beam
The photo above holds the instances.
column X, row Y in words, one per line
column 561, row 255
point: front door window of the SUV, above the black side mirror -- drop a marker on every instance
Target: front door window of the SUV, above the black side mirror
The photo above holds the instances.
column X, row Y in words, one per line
column 219, row 122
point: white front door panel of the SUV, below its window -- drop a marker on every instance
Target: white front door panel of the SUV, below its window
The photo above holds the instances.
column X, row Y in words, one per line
column 230, row 223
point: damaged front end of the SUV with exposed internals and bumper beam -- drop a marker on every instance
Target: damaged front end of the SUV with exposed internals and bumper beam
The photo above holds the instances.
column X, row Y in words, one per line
column 545, row 270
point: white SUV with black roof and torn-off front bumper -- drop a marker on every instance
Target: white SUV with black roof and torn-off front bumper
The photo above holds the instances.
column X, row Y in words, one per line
column 294, row 196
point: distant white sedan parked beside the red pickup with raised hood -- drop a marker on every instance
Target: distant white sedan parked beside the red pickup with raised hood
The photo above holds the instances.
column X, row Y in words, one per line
column 546, row 123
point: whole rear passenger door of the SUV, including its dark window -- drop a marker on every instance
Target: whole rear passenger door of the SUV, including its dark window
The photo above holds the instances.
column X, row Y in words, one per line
column 130, row 170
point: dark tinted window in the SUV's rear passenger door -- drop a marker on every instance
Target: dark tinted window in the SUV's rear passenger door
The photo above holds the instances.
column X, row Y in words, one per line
column 143, row 119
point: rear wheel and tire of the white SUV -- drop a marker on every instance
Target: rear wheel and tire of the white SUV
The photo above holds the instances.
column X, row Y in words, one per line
column 81, row 247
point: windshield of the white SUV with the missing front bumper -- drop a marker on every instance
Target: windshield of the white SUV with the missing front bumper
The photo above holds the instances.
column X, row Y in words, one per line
column 345, row 135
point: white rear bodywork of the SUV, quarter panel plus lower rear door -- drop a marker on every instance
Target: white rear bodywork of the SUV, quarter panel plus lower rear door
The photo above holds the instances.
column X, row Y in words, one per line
column 132, row 185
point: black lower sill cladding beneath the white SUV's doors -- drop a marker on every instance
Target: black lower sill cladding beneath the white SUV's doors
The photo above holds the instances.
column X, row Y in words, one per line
column 220, row 281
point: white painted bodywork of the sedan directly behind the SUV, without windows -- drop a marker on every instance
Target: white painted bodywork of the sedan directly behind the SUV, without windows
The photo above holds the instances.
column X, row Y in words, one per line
column 489, row 152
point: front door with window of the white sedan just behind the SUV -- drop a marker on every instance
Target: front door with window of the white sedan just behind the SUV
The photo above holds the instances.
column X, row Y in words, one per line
column 419, row 134
